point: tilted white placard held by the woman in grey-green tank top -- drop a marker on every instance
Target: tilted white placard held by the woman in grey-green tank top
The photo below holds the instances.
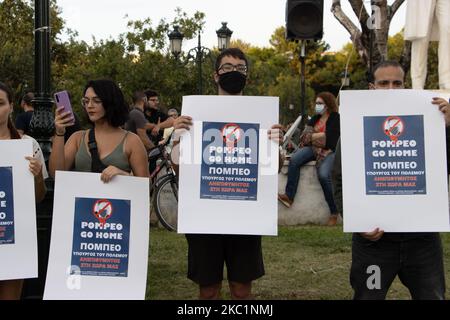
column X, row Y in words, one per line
column 117, row 215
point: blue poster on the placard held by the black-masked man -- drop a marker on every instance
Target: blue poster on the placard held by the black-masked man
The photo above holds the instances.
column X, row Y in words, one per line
column 229, row 169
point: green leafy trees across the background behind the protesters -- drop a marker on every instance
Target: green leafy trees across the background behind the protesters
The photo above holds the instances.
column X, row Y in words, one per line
column 139, row 59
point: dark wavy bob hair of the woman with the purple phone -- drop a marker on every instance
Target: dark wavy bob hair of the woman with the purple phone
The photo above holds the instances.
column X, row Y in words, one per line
column 113, row 101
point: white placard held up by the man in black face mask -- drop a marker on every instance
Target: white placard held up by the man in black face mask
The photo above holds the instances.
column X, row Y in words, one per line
column 245, row 200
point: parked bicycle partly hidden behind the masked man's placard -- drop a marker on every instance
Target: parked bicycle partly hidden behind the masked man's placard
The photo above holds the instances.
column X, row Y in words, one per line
column 164, row 188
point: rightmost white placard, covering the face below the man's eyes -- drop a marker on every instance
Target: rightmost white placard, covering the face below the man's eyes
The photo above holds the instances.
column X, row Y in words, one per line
column 393, row 162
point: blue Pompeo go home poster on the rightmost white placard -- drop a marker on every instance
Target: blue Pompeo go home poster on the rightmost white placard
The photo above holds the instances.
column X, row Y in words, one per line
column 394, row 148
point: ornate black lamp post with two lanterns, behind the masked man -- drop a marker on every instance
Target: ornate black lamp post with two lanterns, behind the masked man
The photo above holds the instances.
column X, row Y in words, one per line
column 199, row 53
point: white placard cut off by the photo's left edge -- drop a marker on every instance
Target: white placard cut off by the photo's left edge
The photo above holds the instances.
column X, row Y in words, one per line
column 18, row 238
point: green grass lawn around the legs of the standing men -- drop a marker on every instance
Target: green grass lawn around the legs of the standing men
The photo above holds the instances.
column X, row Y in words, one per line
column 304, row 262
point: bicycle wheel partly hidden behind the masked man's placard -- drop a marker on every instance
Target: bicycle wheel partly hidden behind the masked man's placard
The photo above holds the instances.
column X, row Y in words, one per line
column 166, row 201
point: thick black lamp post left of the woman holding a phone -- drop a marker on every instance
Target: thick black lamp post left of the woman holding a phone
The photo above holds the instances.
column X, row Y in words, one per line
column 42, row 128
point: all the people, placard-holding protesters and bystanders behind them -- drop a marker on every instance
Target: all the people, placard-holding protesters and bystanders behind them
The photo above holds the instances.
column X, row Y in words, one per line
column 118, row 143
